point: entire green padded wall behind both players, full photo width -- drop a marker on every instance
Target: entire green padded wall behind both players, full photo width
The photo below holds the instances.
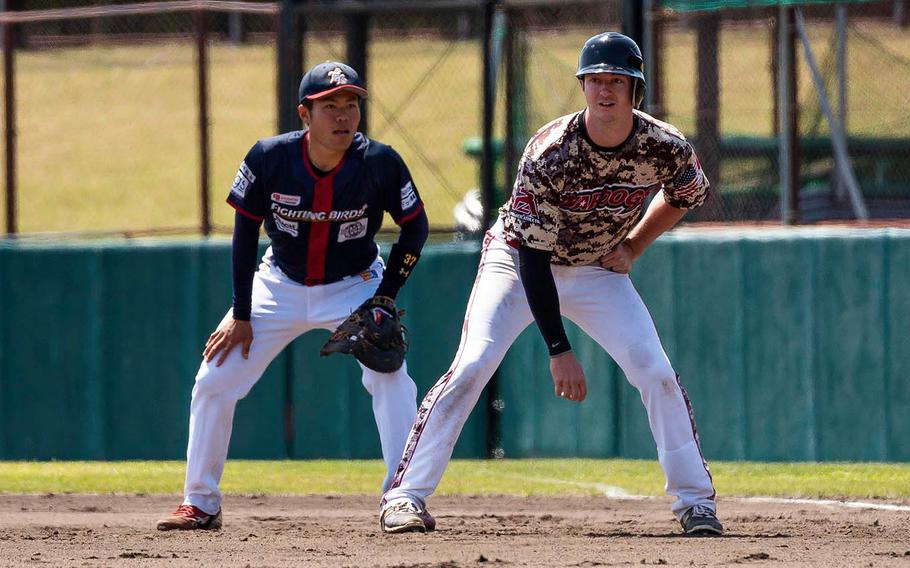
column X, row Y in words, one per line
column 793, row 344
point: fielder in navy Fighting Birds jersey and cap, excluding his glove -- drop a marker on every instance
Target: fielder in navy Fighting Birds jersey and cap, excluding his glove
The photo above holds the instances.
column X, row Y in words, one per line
column 321, row 193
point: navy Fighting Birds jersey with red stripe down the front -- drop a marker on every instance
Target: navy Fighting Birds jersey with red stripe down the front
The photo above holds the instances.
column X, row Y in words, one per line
column 322, row 227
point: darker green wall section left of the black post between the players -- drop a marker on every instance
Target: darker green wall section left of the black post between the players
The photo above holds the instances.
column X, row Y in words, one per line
column 100, row 343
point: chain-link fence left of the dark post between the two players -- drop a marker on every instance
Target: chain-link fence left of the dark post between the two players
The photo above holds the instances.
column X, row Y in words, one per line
column 107, row 106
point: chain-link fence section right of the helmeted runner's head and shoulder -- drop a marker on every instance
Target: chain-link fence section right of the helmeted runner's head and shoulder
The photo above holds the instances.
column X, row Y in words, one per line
column 875, row 52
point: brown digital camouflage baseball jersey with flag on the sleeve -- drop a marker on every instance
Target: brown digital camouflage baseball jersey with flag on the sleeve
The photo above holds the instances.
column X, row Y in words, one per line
column 579, row 200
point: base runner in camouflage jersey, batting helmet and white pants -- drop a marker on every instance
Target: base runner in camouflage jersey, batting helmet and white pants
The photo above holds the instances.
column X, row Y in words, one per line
column 563, row 245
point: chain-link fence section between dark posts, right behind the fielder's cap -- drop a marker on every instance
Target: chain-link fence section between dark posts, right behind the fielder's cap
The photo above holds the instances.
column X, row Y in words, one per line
column 423, row 71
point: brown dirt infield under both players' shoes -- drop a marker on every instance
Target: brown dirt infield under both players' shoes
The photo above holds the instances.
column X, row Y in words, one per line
column 106, row 530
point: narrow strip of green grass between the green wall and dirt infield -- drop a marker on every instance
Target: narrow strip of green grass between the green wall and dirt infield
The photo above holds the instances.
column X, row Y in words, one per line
column 466, row 477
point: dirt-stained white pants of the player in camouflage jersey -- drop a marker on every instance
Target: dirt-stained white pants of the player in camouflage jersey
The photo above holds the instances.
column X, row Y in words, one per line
column 608, row 308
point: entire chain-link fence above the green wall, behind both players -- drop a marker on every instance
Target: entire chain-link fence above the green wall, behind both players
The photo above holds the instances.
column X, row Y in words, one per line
column 107, row 102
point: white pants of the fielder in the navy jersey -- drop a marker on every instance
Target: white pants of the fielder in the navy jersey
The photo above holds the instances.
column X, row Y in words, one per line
column 282, row 311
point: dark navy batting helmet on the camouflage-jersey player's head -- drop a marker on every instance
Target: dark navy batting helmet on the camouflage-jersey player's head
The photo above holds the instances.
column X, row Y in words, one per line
column 612, row 52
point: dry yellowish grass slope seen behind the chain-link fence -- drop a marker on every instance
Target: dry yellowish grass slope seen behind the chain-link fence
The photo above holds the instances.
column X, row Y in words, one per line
column 107, row 135
